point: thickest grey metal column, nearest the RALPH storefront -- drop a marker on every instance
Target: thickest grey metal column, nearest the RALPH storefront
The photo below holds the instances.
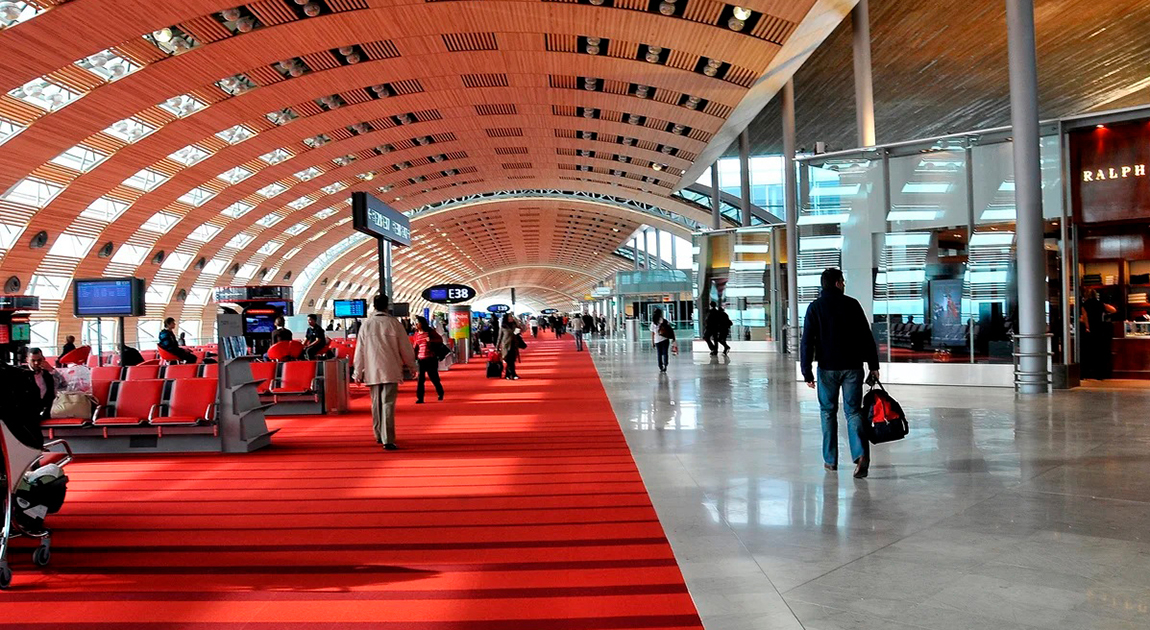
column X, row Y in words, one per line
column 1033, row 375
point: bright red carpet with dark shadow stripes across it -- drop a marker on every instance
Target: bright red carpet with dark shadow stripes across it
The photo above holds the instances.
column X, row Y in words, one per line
column 511, row 506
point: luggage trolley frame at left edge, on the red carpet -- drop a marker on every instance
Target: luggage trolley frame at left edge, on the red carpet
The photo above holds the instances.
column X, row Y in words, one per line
column 19, row 460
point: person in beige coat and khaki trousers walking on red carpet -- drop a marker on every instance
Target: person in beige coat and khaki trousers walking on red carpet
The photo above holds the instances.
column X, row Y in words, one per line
column 384, row 358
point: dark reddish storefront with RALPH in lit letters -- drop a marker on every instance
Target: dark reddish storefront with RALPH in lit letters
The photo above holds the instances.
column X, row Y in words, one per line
column 1110, row 196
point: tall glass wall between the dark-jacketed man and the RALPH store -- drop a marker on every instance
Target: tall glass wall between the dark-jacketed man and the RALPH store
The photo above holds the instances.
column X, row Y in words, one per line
column 925, row 235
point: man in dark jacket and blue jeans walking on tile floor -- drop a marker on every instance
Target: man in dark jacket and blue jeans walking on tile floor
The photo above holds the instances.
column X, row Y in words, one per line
column 838, row 335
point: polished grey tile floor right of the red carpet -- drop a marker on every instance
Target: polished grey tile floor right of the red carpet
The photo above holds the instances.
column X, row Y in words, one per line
column 998, row 513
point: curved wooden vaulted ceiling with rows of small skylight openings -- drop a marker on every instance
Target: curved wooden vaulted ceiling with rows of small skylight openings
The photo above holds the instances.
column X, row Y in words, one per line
column 229, row 158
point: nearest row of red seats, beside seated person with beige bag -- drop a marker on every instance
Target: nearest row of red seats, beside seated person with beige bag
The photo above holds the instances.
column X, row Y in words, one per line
column 147, row 403
